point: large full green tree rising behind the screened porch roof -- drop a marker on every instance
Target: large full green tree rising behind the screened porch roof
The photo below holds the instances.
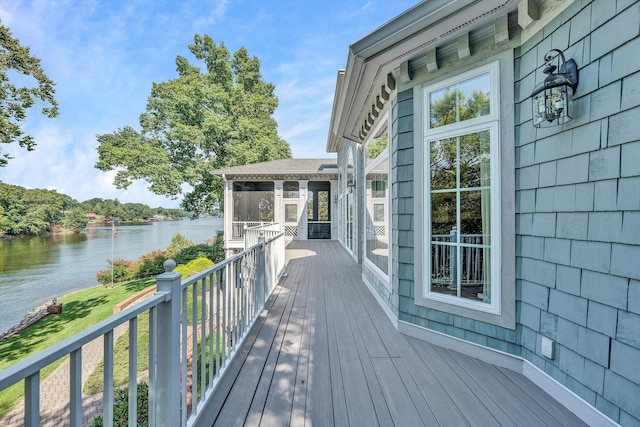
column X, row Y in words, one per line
column 195, row 123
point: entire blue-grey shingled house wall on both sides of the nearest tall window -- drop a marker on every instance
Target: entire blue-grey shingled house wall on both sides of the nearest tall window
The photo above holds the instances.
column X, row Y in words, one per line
column 572, row 194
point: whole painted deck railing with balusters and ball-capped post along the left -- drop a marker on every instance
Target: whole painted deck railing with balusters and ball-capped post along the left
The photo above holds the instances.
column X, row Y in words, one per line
column 207, row 315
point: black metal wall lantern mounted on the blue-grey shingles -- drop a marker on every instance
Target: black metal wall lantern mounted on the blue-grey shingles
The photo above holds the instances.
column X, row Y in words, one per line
column 552, row 99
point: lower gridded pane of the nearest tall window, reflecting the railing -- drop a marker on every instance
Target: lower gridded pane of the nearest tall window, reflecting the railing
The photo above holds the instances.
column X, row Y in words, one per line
column 460, row 200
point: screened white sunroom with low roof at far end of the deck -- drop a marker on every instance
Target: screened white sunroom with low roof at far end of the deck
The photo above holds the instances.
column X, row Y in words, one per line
column 297, row 196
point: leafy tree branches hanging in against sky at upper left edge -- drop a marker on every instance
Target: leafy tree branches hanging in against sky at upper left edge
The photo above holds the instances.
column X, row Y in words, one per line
column 16, row 100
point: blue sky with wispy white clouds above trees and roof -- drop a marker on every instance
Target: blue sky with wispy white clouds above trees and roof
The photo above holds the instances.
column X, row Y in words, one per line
column 105, row 54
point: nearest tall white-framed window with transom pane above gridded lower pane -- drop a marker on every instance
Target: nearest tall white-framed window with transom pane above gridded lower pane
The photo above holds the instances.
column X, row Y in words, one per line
column 461, row 215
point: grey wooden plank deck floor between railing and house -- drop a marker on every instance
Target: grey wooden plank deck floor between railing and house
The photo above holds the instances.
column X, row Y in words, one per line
column 324, row 354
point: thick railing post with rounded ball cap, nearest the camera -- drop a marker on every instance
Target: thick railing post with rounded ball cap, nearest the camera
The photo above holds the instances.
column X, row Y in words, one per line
column 167, row 393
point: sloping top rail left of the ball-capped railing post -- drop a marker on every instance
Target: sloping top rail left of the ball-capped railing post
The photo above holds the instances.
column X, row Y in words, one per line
column 34, row 363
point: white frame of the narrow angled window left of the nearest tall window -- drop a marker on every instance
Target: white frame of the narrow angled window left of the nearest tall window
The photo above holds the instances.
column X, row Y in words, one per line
column 381, row 275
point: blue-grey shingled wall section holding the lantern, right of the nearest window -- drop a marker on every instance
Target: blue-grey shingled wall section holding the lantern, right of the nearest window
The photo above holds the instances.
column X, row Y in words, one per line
column 578, row 210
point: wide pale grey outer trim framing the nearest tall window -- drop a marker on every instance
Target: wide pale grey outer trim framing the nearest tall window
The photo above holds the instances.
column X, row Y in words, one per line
column 505, row 111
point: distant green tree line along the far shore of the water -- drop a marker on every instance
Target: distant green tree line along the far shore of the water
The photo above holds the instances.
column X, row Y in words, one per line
column 36, row 211
